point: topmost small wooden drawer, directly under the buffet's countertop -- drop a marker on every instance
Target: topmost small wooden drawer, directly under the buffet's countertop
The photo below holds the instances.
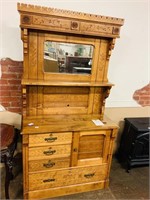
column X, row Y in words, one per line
column 50, row 139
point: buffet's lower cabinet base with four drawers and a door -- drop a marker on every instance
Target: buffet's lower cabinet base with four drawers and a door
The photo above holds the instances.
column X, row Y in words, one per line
column 64, row 163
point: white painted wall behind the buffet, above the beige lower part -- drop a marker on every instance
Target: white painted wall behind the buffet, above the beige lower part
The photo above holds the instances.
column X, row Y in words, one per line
column 129, row 64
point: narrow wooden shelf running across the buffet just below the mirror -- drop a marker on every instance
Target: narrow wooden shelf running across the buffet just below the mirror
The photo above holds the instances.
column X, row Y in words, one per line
column 64, row 83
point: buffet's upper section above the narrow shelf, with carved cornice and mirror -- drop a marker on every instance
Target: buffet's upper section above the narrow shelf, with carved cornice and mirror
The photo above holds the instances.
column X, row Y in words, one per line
column 66, row 46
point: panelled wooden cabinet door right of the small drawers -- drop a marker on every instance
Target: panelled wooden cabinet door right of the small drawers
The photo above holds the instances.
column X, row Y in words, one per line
column 90, row 147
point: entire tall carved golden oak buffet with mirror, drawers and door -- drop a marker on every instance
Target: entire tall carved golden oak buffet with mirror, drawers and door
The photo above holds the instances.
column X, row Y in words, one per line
column 64, row 151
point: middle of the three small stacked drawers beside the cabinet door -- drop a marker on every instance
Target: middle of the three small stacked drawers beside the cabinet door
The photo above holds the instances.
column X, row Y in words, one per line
column 46, row 152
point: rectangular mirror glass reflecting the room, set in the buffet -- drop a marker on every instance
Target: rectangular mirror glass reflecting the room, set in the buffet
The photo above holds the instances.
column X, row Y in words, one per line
column 67, row 58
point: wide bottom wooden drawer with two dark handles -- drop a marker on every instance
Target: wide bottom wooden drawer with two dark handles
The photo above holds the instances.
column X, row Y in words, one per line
column 72, row 176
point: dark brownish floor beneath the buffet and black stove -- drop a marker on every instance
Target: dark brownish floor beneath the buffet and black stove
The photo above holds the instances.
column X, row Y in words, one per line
column 123, row 185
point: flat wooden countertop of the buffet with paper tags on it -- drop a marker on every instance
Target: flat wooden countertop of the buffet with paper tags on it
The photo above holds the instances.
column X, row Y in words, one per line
column 55, row 123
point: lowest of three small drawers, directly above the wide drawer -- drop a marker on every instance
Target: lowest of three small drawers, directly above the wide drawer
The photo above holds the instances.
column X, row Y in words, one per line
column 49, row 164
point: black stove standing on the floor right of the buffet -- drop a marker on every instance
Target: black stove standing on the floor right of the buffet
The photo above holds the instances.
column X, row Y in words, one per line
column 134, row 145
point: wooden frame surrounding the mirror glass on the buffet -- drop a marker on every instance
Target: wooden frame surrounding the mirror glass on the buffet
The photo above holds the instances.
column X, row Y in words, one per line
column 67, row 39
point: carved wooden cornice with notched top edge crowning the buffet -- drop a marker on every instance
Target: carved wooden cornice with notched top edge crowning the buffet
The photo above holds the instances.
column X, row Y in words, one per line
column 56, row 20
